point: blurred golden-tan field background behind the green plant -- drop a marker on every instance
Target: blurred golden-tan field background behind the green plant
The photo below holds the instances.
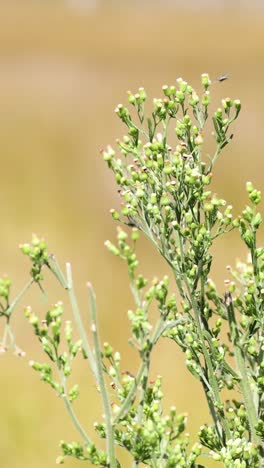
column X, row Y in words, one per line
column 64, row 66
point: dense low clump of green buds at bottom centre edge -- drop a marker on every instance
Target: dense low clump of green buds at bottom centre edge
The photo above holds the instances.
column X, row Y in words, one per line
column 151, row 437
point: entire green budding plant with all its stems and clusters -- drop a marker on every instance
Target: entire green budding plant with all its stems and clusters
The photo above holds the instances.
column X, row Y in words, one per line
column 165, row 192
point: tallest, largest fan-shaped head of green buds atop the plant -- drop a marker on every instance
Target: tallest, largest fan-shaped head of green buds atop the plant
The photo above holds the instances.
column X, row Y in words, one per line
column 165, row 188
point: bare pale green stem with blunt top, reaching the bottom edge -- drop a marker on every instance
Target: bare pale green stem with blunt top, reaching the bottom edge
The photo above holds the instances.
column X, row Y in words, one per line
column 101, row 381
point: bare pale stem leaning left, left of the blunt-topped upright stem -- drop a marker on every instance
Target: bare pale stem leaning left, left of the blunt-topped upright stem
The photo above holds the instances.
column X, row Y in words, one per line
column 77, row 316
